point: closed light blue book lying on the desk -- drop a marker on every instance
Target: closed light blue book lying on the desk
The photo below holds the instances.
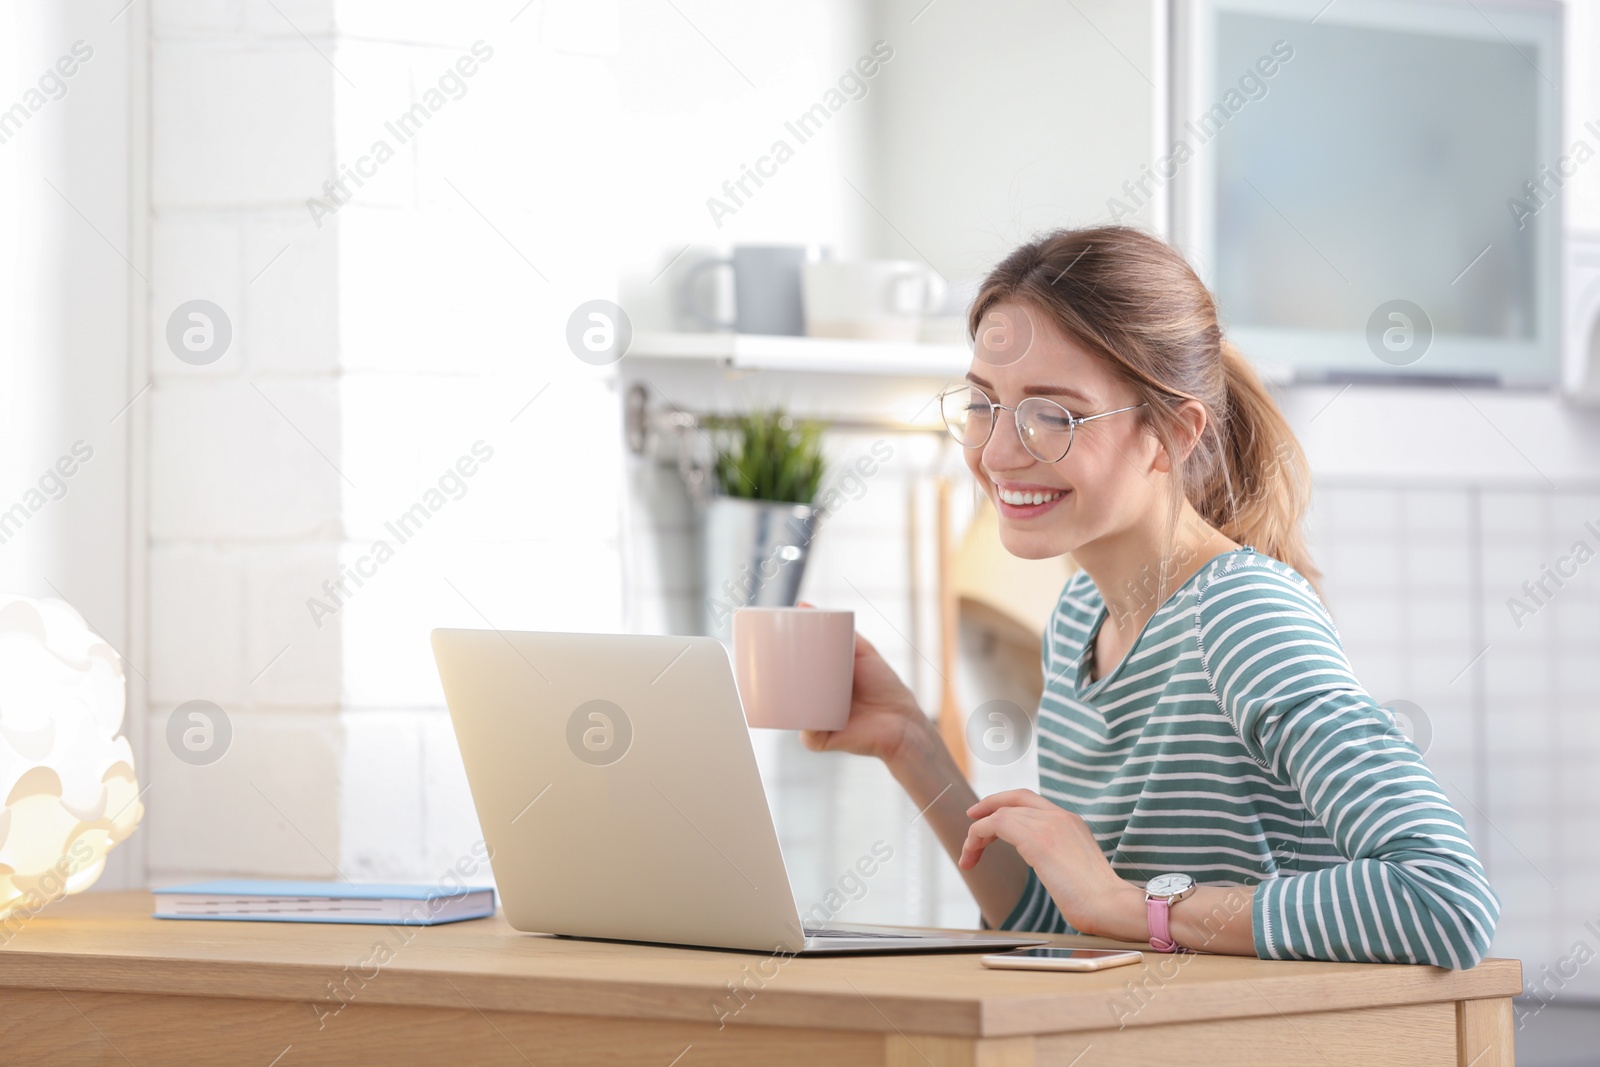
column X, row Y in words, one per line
column 271, row 901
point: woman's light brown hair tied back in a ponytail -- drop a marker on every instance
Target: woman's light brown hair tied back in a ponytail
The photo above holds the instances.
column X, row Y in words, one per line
column 1134, row 302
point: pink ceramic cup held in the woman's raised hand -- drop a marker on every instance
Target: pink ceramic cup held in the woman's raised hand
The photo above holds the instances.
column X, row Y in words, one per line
column 794, row 666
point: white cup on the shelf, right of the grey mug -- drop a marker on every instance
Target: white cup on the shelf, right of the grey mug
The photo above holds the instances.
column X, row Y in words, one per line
column 870, row 300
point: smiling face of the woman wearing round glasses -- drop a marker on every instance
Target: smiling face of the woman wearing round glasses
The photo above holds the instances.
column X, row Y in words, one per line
column 1106, row 484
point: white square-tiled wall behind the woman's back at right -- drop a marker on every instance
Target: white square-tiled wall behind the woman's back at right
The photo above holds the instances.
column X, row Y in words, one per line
column 1514, row 735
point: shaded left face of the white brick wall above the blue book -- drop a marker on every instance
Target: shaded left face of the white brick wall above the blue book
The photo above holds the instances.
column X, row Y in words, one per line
column 244, row 497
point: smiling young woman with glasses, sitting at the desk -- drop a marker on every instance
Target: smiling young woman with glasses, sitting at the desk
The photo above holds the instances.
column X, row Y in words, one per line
column 1214, row 775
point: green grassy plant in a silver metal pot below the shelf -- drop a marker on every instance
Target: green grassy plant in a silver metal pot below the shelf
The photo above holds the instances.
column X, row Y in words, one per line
column 759, row 519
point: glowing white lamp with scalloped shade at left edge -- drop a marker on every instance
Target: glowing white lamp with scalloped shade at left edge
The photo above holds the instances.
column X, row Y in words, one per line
column 65, row 772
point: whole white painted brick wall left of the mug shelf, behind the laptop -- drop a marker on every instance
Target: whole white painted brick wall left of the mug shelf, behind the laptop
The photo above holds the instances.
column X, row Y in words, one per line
column 370, row 353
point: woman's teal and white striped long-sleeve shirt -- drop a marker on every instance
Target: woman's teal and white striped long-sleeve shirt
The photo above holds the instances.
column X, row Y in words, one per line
column 1234, row 745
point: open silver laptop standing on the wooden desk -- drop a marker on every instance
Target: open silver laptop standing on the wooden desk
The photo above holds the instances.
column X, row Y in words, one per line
column 620, row 797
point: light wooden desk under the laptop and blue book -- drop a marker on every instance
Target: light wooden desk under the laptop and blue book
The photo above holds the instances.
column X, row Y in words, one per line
column 97, row 981
